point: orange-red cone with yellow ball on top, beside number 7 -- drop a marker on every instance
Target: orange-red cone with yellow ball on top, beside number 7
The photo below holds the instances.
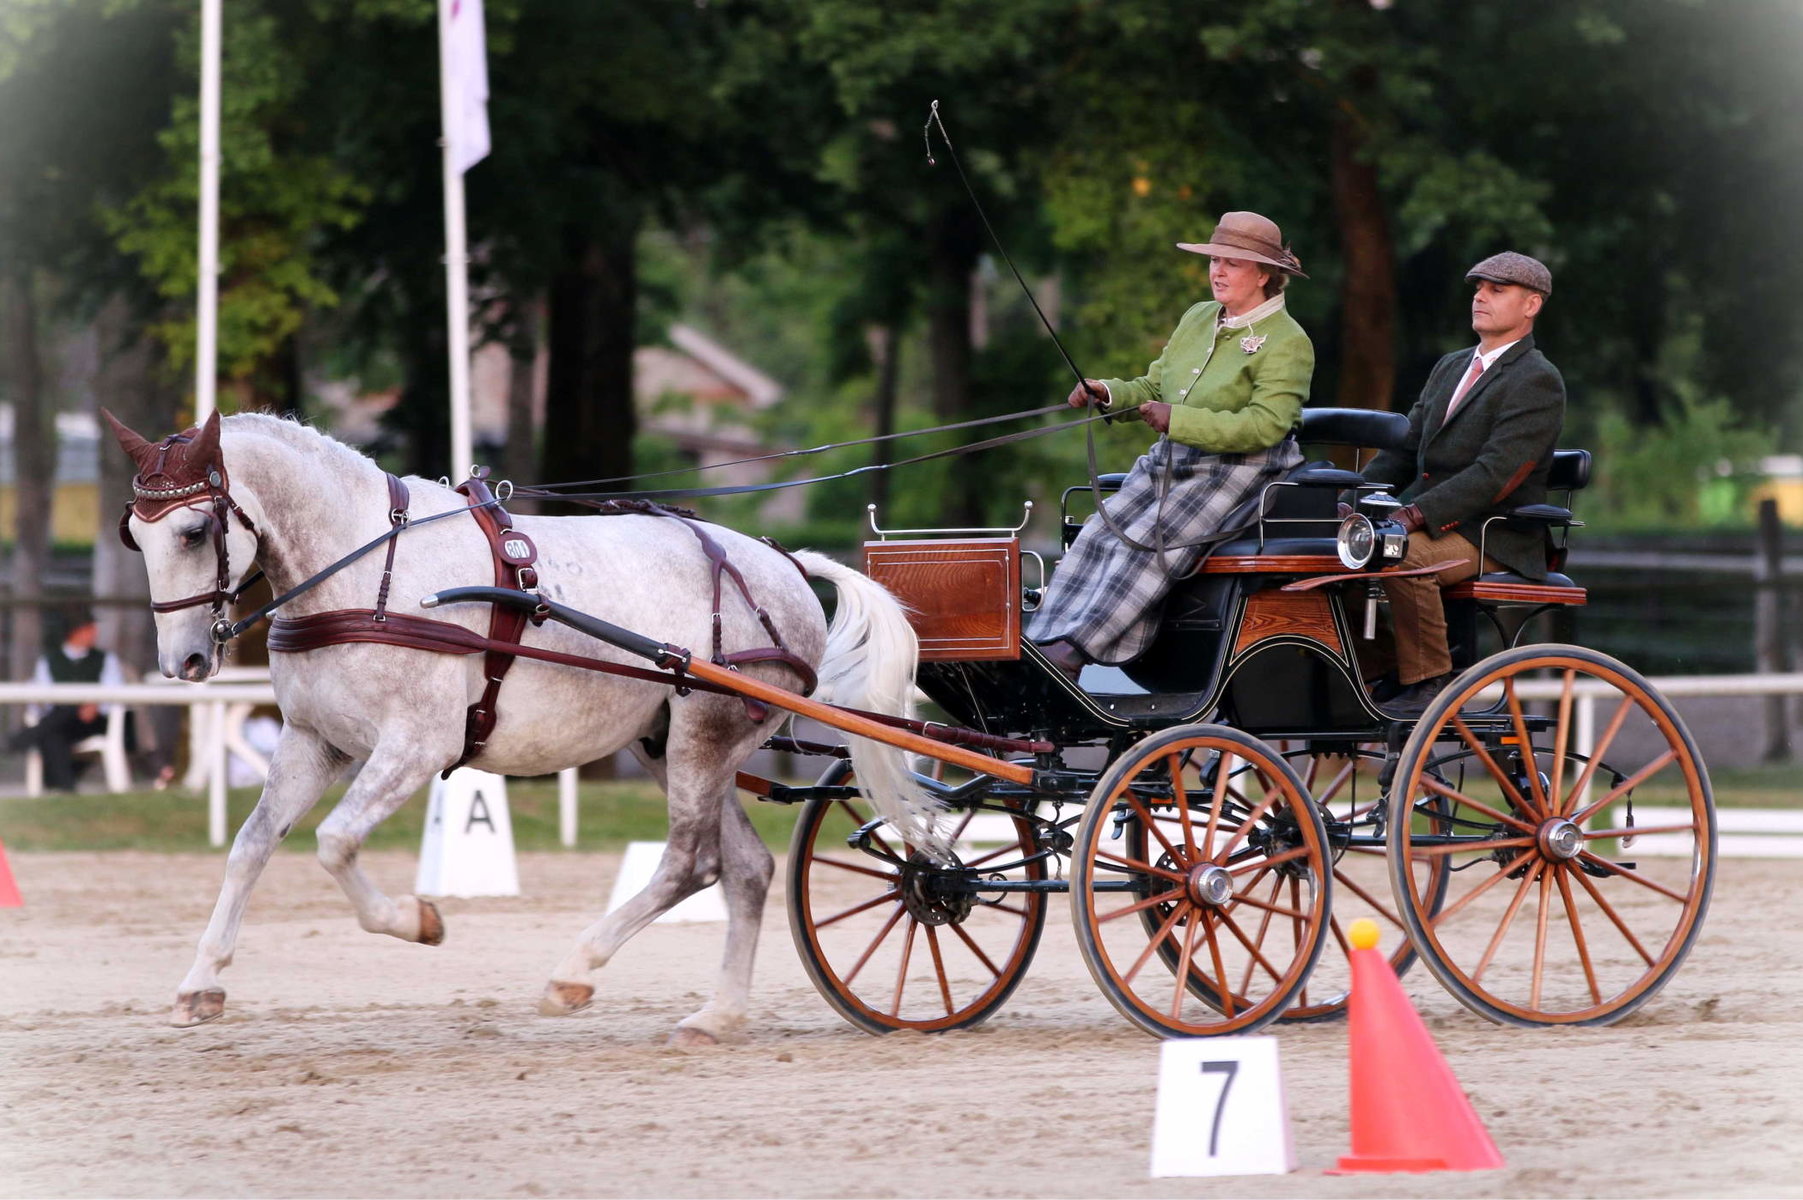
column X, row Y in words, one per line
column 1409, row 1113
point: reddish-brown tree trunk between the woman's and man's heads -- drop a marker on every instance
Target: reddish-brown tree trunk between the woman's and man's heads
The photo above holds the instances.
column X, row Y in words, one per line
column 1368, row 296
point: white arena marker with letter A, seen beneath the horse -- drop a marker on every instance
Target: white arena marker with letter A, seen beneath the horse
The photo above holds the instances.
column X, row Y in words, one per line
column 470, row 839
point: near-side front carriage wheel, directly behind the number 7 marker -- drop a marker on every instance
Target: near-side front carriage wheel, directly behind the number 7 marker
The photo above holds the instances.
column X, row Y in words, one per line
column 1211, row 833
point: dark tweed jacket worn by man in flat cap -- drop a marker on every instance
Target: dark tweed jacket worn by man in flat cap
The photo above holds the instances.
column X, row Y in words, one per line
column 1494, row 455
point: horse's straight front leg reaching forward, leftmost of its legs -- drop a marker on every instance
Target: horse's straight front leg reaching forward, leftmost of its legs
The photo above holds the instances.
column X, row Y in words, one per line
column 298, row 772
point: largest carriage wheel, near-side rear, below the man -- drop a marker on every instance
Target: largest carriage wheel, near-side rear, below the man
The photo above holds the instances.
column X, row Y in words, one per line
column 1579, row 880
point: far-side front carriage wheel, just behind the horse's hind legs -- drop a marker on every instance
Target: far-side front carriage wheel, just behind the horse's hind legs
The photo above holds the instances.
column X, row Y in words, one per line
column 897, row 947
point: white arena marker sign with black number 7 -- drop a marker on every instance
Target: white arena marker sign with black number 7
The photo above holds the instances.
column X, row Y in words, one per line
column 1222, row 1109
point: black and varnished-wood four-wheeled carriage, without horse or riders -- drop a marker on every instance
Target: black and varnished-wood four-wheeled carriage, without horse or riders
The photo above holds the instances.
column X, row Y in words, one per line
column 1232, row 799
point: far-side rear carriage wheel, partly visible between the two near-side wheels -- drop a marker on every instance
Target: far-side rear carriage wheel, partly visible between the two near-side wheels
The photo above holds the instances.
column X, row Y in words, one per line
column 1348, row 794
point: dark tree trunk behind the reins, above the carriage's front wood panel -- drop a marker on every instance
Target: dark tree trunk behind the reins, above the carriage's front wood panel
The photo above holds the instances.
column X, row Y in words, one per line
column 953, row 244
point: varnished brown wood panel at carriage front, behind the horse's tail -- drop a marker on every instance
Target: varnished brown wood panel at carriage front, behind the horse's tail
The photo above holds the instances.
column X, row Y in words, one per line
column 964, row 595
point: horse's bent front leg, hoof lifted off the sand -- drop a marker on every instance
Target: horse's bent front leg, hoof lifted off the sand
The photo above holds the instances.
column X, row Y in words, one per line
column 399, row 768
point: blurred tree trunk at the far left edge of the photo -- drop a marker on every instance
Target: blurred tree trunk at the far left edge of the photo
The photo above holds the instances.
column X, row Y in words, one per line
column 33, row 469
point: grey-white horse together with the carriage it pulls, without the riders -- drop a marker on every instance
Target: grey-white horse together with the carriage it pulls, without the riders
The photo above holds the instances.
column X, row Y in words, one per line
column 1218, row 812
